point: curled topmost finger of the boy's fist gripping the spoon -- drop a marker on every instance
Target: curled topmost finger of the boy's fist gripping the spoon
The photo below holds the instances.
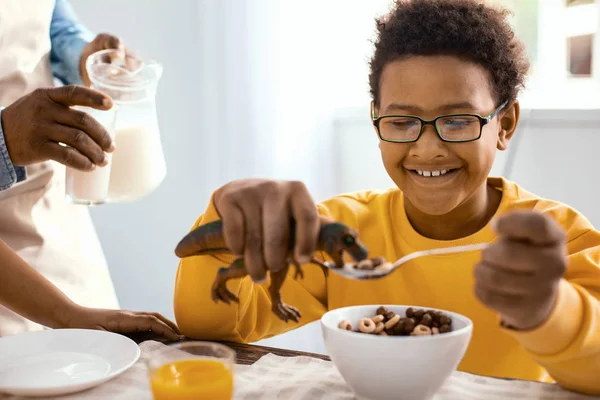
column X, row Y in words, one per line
column 530, row 226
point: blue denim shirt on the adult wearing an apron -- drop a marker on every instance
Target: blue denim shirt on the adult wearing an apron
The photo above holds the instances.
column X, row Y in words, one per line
column 68, row 38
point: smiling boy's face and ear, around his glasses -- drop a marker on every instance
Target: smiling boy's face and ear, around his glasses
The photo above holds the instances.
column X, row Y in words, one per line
column 429, row 86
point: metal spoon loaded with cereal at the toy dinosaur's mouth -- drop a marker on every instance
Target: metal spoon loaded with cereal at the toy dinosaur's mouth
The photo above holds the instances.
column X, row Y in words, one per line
column 349, row 271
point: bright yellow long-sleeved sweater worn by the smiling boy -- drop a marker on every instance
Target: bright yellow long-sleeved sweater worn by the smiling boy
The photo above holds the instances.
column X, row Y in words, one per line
column 566, row 348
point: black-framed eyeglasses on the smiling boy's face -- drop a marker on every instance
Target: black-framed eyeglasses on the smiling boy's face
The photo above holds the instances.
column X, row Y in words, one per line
column 450, row 128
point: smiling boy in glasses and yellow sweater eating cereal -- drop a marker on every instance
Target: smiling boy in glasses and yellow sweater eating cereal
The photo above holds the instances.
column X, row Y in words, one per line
column 532, row 294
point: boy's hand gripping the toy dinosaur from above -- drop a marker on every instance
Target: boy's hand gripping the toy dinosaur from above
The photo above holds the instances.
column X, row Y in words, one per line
column 256, row 217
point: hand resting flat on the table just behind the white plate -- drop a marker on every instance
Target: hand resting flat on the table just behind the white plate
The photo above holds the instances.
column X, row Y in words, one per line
column 121, row 321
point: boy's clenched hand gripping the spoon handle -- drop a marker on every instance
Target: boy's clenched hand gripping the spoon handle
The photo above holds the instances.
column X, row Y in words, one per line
column 518, row 275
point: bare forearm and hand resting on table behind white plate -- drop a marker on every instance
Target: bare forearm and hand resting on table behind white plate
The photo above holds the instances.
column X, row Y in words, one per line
column 28, row 293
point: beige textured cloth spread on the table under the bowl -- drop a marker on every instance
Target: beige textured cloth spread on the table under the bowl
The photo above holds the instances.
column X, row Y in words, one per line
column 294, row 378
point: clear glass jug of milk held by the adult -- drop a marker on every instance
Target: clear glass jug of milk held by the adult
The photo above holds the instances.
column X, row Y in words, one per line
column 137, row 166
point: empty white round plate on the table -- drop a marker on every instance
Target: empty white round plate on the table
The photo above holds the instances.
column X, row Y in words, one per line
column 62, row 361
